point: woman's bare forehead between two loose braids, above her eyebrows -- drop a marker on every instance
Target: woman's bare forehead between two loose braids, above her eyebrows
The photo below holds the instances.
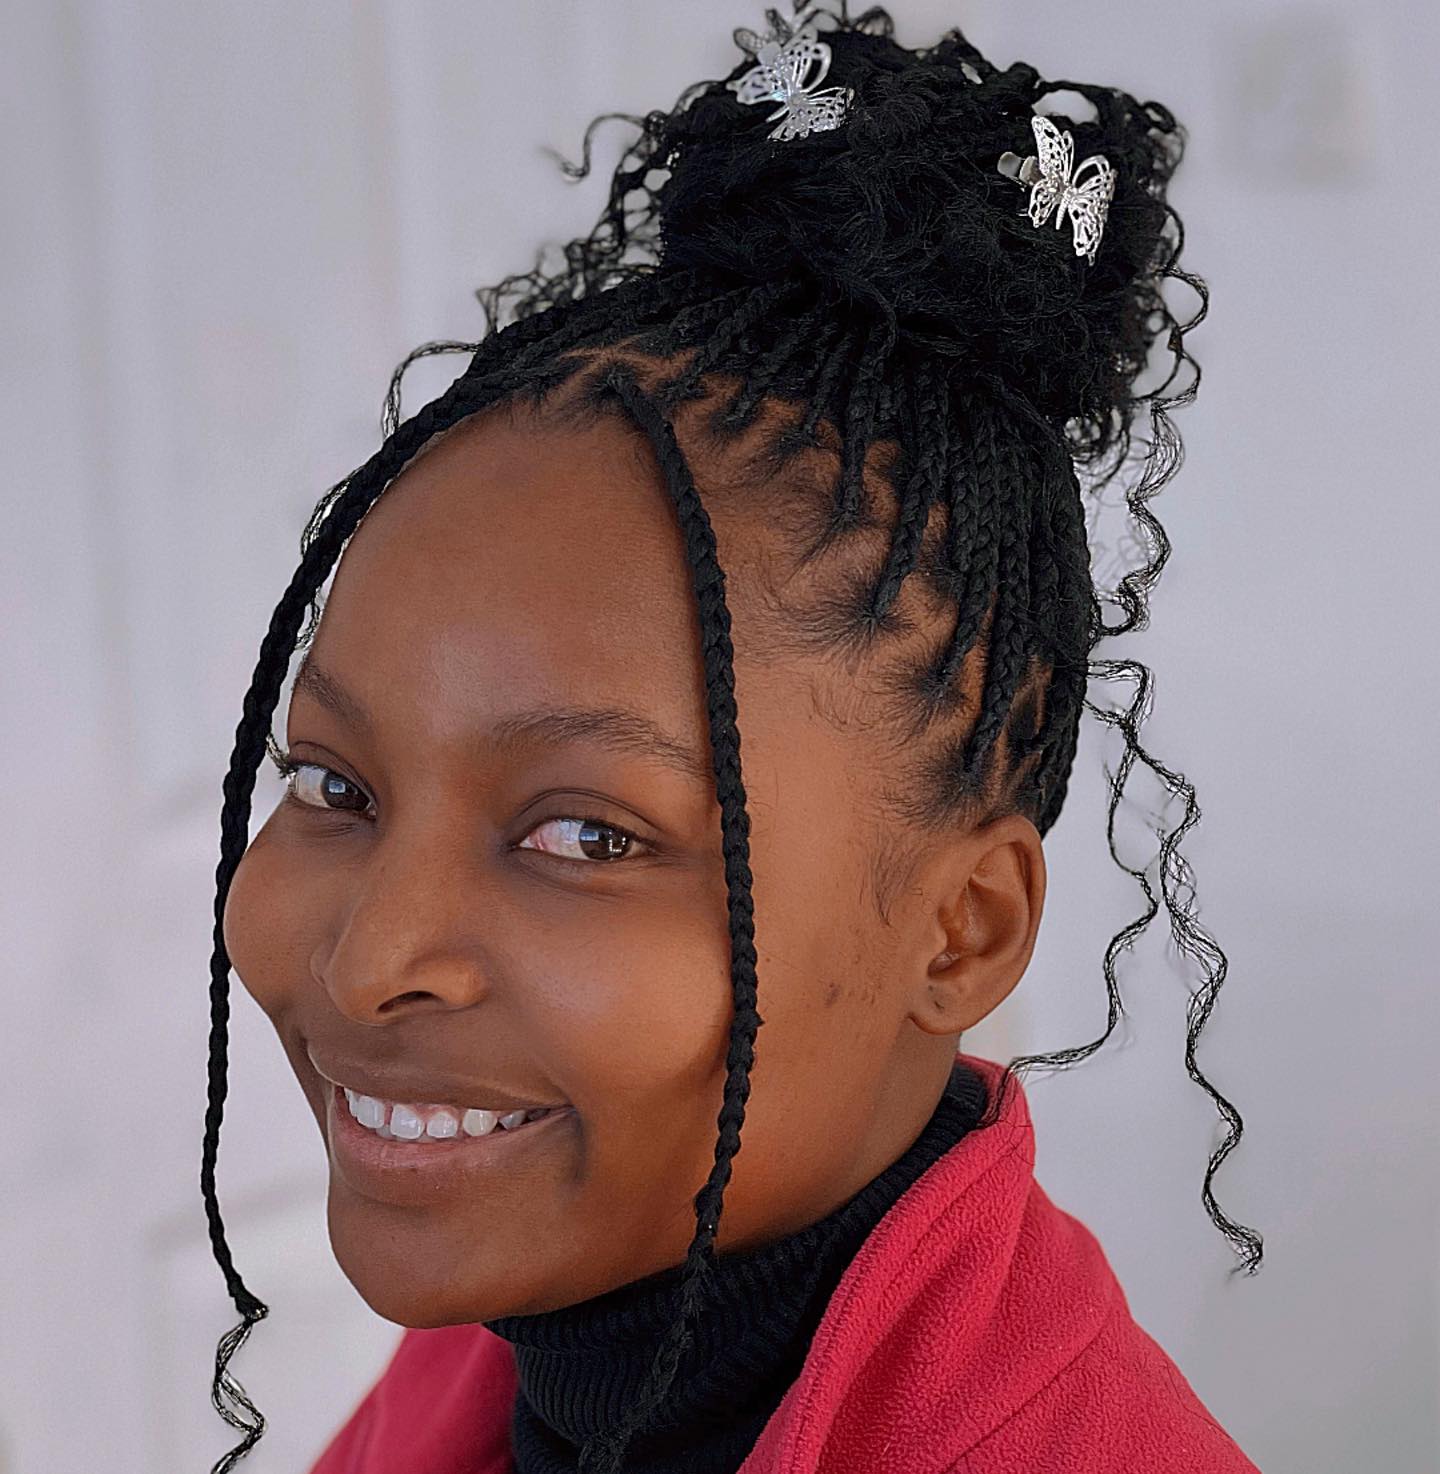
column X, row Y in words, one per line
column 524, row 555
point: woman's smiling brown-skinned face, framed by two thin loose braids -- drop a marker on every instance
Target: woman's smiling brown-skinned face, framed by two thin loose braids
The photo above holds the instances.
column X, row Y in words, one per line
column 425, row 916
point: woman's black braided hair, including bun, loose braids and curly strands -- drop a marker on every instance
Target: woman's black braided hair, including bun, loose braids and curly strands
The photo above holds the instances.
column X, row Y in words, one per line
column 884, row 287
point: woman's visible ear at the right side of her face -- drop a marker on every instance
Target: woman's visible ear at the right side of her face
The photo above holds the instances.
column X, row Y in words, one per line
column 982, row 897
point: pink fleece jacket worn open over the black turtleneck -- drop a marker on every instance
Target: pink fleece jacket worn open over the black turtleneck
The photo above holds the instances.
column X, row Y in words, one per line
column 979, row 1330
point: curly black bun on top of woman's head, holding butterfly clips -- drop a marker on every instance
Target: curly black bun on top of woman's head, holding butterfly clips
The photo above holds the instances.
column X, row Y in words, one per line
column 903, row 214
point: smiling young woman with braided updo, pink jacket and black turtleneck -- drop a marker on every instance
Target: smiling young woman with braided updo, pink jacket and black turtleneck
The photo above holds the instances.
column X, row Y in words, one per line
column 788, row 449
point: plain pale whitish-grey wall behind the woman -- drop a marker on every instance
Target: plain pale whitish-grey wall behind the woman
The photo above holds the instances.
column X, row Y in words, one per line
column 222, row 226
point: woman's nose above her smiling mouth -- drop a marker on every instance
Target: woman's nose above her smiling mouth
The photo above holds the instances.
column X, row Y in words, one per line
column 409, row 937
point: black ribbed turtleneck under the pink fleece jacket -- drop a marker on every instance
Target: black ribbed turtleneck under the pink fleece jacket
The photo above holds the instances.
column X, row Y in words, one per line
column 583, row 1366
